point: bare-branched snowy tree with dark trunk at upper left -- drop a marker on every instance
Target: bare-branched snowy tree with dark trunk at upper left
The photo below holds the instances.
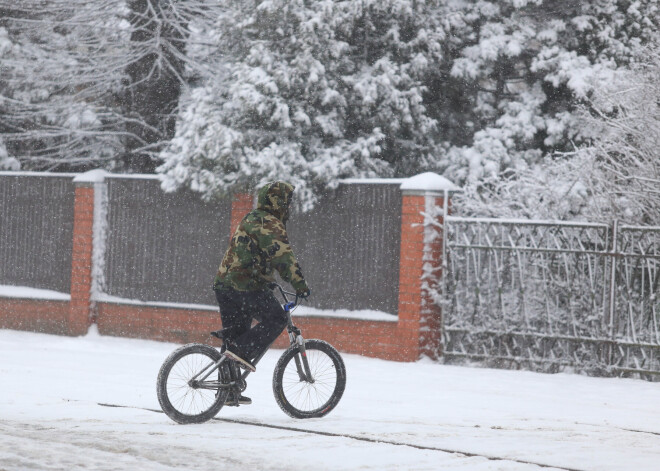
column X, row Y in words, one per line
column 96, row 83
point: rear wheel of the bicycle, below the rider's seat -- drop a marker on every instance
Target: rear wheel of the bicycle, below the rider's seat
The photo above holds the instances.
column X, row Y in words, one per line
column 173, row 399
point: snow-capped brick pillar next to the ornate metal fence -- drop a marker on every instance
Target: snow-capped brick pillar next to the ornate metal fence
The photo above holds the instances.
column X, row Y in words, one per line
column 425, row 198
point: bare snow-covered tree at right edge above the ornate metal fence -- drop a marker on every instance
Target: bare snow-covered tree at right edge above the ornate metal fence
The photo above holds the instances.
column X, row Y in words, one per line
column 626, row 159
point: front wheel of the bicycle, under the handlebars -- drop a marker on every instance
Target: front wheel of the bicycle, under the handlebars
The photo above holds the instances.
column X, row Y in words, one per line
column 305, row 400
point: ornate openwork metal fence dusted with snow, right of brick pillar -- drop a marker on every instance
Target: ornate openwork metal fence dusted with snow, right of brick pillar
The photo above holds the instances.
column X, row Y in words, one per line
column 552, row 295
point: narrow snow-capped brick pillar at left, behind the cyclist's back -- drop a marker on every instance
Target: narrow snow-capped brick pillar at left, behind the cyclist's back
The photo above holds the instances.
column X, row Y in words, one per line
column 80, row 312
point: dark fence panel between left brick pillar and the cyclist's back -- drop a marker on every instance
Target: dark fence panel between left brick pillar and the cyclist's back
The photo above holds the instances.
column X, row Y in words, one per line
column 162, row 246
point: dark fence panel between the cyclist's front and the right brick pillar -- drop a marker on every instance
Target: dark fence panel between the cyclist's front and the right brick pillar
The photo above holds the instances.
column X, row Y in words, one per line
column 348, row 247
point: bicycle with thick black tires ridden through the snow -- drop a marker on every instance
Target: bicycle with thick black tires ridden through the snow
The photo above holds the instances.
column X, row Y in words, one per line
column 196, row 380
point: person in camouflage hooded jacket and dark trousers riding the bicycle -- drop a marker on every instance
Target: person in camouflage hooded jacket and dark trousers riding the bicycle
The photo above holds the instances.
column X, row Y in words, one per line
column 259, row 246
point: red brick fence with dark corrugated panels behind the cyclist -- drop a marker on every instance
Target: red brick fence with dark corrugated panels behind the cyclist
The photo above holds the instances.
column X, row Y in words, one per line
column 139, row 262
